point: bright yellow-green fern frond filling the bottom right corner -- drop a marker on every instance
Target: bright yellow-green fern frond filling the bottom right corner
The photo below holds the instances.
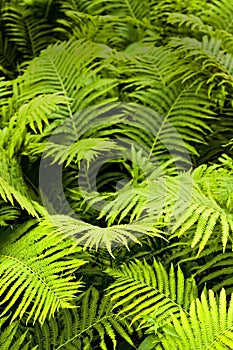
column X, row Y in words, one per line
column 209, row 325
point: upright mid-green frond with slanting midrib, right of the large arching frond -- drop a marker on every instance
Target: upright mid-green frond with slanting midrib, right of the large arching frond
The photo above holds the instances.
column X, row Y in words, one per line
column 167, row 102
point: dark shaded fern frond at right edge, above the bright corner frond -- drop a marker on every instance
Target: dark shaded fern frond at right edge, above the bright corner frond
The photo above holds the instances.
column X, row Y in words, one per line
column 211, row 268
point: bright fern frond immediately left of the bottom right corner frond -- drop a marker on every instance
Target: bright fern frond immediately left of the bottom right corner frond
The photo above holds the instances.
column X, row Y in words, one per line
column 140, row 289
